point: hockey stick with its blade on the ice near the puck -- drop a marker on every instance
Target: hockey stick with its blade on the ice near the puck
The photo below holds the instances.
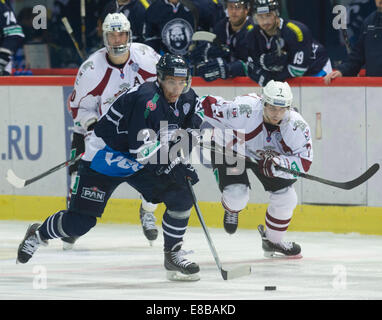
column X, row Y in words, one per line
column 226, row 274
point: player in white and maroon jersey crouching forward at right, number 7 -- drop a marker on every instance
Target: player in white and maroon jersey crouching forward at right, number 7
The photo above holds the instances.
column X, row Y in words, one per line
column 268, row 129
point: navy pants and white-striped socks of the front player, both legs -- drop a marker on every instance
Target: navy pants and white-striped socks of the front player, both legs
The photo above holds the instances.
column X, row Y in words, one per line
column 93, row 190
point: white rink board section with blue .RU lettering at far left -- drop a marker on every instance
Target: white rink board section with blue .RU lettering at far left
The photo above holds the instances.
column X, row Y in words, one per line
column 36, row 108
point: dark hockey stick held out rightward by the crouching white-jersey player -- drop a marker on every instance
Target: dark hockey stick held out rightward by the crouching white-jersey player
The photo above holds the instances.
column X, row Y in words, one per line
column 341, row 185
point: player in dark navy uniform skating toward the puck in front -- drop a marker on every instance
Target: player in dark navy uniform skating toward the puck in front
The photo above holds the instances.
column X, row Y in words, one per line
column 134, row 142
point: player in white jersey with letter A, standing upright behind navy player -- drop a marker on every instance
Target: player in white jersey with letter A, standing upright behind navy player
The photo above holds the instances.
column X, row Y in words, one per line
column 106, row 74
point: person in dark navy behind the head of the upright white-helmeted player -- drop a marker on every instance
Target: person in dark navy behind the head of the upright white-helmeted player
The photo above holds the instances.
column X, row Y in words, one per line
column 134, row 10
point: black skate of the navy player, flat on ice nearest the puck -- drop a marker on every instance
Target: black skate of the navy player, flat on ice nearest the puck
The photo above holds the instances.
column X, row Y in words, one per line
column 179, row 268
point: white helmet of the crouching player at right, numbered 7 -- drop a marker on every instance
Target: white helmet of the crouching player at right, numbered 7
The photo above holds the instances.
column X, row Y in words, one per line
column 278, row 94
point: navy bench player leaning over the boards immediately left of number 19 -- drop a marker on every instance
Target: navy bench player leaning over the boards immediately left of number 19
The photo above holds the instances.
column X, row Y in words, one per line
column 211, row 61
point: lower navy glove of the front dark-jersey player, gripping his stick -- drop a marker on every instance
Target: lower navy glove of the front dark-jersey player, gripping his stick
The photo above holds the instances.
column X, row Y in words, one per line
column 178, row 172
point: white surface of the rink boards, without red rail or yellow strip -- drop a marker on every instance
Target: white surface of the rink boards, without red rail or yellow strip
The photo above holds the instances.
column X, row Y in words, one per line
column 350, row 144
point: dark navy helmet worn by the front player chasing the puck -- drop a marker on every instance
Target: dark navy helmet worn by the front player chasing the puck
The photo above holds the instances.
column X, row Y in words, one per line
column 174, row 65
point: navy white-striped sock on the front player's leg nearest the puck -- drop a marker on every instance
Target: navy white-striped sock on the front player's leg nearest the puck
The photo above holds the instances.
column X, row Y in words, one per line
column 173, row 230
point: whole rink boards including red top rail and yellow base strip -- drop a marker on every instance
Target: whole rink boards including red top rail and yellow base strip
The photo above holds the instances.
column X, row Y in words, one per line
column 35, row 135
